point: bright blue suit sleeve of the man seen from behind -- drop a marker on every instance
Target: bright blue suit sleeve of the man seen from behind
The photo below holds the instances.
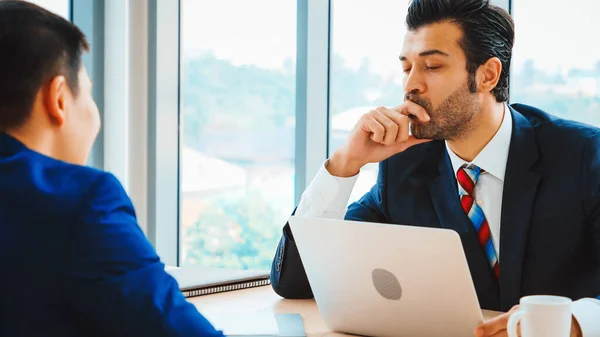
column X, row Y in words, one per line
column 116, row 283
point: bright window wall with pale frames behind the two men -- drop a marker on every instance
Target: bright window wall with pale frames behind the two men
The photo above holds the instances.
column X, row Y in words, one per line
column 217, row 114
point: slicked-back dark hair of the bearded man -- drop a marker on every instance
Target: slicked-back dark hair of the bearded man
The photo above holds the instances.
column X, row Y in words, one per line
column 488, row 31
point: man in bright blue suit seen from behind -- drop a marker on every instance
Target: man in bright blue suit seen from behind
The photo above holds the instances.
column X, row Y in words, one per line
column 75, row 262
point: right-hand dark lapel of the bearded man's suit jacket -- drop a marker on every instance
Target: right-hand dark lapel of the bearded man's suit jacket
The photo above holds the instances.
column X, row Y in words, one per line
column 520, row 188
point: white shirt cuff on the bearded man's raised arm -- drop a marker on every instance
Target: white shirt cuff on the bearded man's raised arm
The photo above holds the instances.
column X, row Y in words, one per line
column 326, row 196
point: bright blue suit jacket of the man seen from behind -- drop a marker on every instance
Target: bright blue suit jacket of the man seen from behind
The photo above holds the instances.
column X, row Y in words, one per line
column 74, row 260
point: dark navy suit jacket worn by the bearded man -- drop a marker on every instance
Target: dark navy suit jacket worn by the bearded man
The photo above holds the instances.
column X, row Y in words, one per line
column 550, row 226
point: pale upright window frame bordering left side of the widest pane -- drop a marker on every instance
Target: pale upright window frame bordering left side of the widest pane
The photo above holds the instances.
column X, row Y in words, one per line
column 163, row 128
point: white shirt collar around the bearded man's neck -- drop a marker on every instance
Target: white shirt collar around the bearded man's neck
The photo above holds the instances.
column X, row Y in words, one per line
column 494, row 155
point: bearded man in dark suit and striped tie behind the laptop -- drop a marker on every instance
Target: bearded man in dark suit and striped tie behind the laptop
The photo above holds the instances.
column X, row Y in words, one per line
column 521, row 187
